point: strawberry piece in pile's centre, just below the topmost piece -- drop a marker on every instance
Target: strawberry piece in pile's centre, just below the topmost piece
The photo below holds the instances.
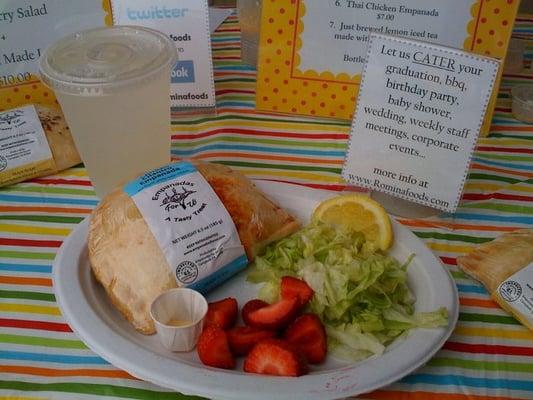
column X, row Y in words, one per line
column 275, row 316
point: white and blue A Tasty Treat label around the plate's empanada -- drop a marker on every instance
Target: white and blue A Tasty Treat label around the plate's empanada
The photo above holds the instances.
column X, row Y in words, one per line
column 191, row 225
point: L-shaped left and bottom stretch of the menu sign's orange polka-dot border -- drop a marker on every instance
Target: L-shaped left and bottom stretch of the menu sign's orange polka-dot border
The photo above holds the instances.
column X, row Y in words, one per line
column 280, row 86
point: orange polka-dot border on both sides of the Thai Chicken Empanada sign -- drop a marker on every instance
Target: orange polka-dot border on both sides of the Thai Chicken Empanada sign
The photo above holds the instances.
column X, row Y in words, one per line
column 282, row 87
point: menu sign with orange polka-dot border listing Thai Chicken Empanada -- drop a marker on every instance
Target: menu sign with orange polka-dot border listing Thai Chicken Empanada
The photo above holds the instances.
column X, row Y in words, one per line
column 312, row 52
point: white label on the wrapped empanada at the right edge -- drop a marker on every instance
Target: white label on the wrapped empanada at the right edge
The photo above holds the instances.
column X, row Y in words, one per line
column 517, row 292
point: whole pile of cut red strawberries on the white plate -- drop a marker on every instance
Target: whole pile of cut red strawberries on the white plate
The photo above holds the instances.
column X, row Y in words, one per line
column 277, row 339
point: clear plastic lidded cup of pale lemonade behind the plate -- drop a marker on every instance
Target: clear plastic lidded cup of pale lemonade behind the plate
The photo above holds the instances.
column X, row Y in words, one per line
column 113, row 85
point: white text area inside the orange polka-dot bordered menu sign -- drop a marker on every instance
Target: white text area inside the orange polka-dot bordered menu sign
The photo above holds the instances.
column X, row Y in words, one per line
column 341, row 28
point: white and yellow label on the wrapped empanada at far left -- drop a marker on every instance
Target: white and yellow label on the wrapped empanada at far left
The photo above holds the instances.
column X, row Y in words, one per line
column 24, row 149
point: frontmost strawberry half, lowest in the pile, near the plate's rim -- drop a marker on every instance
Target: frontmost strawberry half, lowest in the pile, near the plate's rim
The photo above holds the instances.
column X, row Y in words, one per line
column 275, row 357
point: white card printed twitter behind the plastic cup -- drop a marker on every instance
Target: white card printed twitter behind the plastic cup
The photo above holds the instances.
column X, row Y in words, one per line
column 186, row 22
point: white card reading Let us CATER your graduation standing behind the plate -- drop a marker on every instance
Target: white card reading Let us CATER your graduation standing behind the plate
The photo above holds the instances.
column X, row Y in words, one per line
column 418, row 116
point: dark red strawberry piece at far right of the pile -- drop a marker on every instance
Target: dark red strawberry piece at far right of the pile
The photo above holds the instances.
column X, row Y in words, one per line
column 308, row 335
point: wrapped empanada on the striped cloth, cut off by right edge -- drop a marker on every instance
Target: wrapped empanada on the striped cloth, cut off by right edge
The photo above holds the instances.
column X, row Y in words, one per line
column 505, row 267
